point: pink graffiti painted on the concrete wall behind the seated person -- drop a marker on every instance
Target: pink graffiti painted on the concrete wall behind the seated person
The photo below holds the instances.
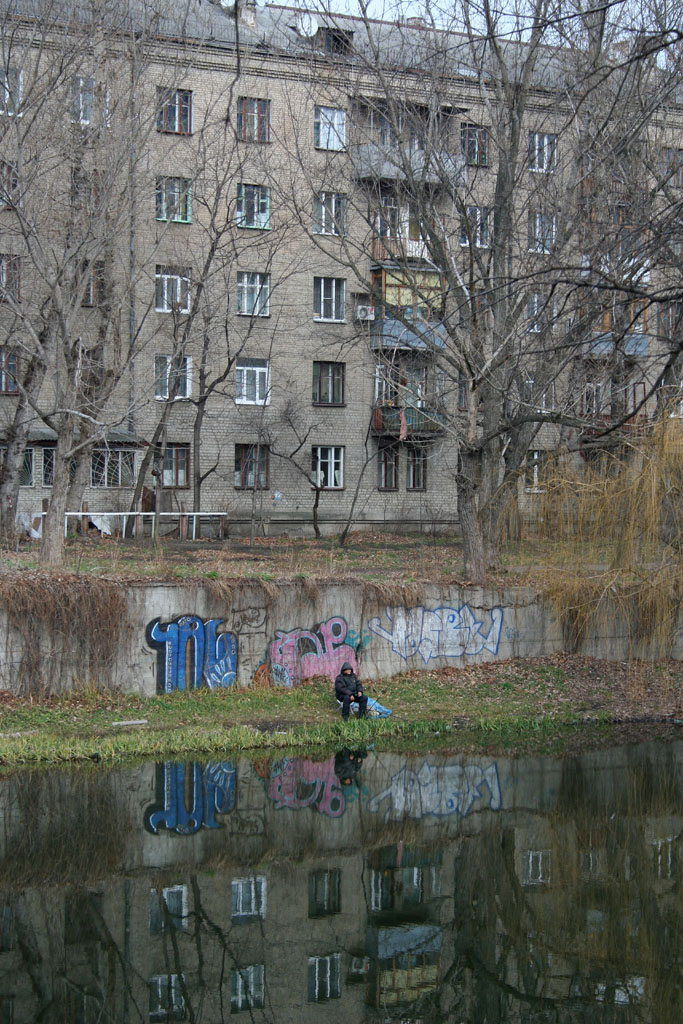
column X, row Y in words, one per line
column 303, row 654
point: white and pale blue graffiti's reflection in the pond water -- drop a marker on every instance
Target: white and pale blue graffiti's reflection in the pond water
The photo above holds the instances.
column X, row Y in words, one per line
column 439, row 791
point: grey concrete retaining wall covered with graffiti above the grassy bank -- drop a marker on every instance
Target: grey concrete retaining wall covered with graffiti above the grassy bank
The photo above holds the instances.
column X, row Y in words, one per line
column 184, row 637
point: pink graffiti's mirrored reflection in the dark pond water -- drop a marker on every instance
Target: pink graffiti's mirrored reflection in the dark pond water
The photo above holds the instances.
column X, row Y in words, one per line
column 296, row 784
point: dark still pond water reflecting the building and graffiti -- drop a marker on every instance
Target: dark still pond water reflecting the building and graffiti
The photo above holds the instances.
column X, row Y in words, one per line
column 368, row 887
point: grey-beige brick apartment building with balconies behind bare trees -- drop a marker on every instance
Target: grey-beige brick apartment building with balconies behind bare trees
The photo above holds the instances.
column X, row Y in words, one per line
column 266, row 264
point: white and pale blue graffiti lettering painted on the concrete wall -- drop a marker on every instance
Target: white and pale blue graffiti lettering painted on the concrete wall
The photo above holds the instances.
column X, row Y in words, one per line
column 439, row 632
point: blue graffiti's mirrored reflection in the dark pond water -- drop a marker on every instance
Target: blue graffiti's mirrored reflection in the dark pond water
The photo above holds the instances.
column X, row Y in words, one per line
column 189, row 798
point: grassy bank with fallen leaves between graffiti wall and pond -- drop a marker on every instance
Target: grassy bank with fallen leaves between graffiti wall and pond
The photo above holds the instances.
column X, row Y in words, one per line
column 554, row 704
